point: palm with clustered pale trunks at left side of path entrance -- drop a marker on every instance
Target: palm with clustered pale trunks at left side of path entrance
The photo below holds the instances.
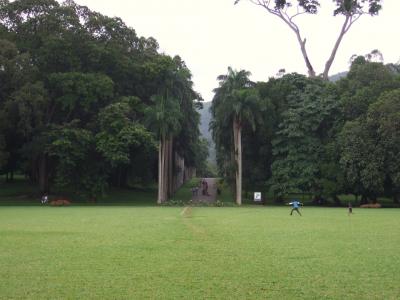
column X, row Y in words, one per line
column 173, row 100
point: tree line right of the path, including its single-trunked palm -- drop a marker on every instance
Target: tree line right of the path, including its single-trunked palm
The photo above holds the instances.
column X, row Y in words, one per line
column 296, row 134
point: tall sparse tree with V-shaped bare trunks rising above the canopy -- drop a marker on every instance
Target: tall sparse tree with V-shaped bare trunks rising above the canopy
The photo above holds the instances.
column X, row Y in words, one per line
column 289, row 10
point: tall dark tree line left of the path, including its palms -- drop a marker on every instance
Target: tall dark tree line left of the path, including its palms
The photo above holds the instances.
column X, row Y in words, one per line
column 86, row 103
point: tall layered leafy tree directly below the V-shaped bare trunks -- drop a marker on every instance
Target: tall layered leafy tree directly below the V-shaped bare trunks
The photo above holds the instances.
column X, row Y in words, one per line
column 298, row 146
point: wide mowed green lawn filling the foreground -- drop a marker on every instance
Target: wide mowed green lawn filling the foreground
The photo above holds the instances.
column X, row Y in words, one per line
column 223, row 253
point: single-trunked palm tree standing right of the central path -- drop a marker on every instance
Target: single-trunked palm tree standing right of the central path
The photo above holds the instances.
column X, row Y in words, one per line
column 235, row 102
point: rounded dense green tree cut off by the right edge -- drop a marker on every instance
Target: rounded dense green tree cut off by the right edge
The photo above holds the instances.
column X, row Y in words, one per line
column 370, row 147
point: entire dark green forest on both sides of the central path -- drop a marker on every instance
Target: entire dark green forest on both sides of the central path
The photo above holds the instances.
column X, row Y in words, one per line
column 87, row 104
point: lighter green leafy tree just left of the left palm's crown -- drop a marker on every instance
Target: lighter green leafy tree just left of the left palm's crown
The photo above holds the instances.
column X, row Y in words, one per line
column 125, row 144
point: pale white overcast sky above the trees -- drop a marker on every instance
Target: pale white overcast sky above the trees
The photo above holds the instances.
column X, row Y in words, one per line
column 211, row 35
